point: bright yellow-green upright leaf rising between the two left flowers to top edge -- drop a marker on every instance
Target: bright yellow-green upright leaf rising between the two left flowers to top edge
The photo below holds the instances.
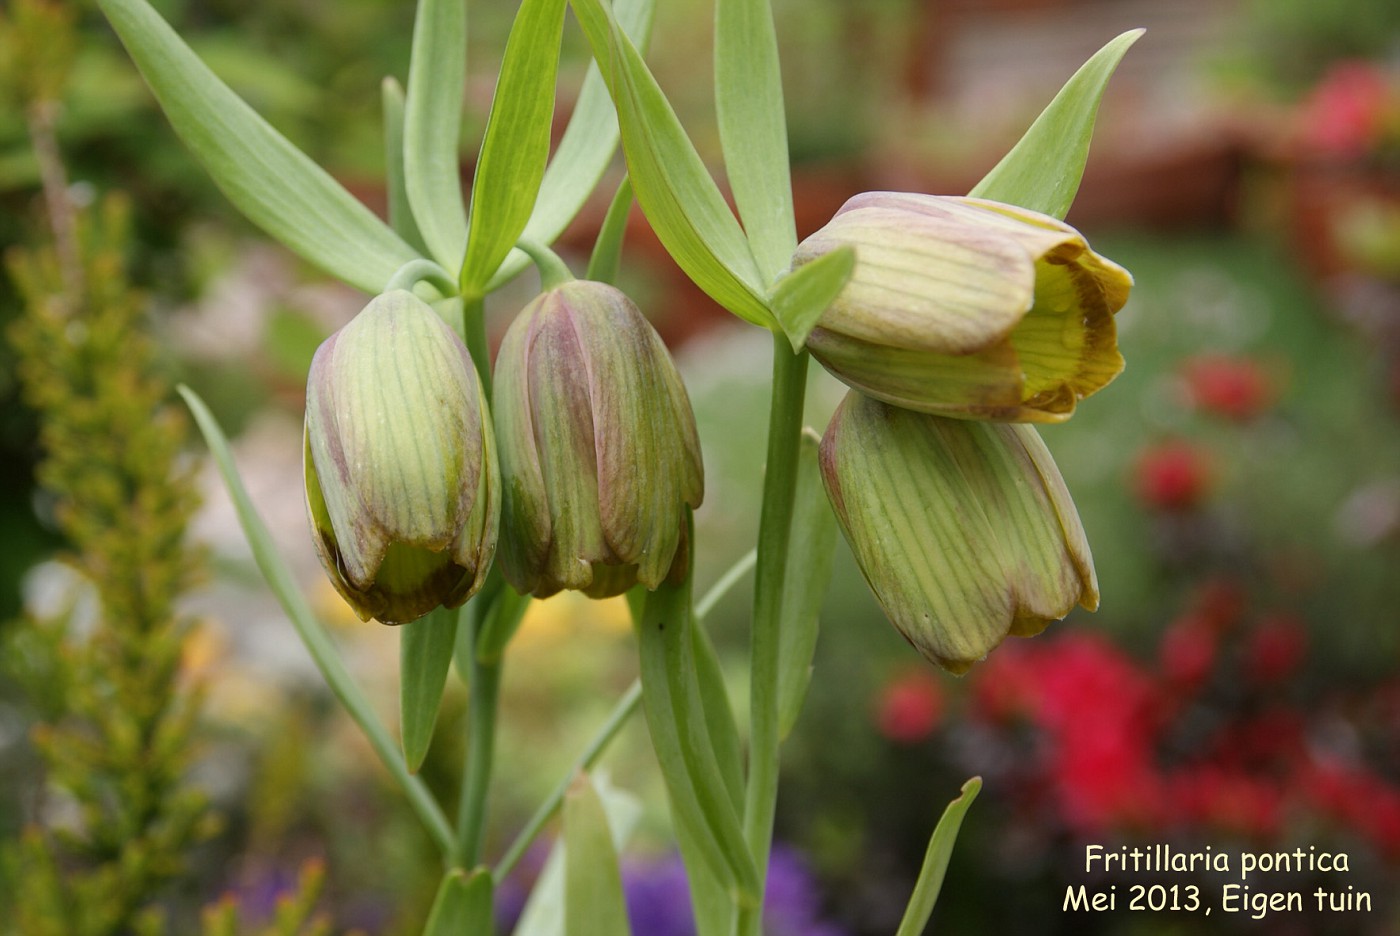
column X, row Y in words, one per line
column 516, row 148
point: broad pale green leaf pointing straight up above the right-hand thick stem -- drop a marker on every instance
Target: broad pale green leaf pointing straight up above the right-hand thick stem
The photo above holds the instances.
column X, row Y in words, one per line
column 748, row 97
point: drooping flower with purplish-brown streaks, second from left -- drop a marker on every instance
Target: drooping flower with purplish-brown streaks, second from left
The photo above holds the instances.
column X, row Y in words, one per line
column 600, row 455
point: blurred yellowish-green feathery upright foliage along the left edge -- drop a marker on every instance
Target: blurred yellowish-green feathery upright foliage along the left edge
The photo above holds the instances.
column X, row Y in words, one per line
column 115, row 723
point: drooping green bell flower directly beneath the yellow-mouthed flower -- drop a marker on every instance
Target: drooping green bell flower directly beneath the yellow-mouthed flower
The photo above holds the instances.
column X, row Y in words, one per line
column 965, row 531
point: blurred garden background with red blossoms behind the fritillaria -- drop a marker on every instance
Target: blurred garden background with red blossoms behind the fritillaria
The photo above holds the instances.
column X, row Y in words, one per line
column 1240, row 686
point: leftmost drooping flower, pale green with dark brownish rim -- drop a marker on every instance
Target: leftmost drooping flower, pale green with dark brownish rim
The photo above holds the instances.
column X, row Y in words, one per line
column 402, row 483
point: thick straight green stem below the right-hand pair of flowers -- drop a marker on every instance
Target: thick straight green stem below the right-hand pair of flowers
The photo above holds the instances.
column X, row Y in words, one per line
column 775, row 530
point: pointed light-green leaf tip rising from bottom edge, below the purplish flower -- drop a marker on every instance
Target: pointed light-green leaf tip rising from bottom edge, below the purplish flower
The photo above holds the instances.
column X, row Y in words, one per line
column 594, row 903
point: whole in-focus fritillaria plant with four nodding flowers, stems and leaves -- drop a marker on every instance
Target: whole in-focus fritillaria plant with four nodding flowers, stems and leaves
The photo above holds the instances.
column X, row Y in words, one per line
column 597, row 453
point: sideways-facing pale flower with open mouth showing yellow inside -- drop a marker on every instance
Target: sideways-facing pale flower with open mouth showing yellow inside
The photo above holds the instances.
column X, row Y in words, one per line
column 968, row 309
